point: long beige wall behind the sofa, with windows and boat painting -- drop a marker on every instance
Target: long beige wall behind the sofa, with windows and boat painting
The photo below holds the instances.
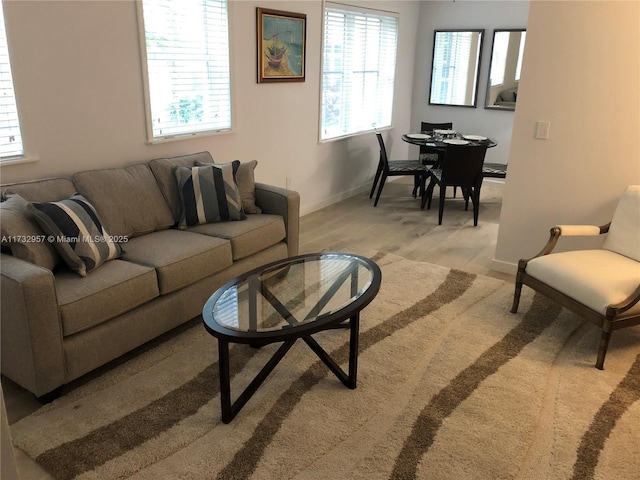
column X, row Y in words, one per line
column 78, row 80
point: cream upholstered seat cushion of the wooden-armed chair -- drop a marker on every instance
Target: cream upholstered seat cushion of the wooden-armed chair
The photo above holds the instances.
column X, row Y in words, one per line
column 596, row 278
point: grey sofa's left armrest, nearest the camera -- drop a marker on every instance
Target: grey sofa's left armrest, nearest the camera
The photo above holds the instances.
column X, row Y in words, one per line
column 31, row 333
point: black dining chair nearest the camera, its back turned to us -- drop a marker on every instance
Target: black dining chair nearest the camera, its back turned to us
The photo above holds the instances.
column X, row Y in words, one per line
column 461, row 167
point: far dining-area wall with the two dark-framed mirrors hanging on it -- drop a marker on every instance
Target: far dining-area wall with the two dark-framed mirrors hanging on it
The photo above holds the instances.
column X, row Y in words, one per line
column 461, row 14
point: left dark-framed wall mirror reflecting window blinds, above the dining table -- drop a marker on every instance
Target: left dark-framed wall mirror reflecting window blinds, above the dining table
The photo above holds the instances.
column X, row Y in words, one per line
column 455, row 67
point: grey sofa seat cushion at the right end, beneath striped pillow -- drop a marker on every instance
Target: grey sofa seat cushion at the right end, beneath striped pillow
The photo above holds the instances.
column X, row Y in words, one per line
column 249, row 236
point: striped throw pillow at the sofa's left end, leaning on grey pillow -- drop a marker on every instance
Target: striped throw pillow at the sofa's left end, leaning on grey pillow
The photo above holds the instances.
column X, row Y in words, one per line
column 77, row 233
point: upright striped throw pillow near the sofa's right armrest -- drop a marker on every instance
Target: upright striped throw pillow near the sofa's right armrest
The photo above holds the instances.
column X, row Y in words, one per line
column 209, row 194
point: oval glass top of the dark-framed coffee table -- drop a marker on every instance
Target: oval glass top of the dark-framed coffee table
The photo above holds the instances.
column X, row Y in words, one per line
column 291, row 293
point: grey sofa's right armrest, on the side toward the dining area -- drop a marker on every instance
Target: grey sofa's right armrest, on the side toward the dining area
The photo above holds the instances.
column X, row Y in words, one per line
column 280, row 201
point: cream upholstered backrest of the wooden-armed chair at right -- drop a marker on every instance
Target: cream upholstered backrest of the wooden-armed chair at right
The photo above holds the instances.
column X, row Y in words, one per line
column 624, row 231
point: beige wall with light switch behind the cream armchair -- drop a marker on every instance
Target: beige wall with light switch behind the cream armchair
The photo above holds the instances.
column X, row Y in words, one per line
column 581, row 72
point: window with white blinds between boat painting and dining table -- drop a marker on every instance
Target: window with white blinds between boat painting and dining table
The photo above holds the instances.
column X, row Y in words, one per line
column 358, row 70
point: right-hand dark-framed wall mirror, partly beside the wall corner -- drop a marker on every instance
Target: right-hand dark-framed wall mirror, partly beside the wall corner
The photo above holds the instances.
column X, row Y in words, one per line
column 504, row 71
